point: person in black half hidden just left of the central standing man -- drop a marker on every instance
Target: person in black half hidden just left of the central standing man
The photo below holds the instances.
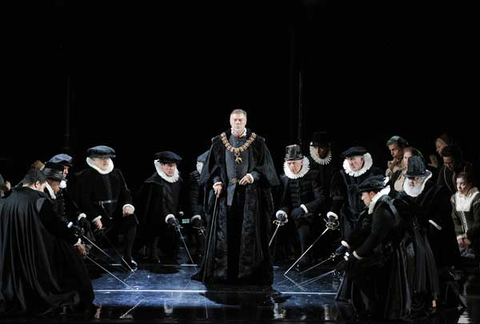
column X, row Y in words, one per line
column 197, row 213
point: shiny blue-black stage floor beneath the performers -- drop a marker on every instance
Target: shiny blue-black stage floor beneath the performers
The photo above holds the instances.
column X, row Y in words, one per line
column 165, row 293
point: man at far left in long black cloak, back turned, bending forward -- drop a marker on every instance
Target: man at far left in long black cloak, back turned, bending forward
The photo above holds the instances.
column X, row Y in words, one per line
column 41, row 265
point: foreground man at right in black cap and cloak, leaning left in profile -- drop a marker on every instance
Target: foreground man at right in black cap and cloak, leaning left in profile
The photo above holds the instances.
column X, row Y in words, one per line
column 375, row 278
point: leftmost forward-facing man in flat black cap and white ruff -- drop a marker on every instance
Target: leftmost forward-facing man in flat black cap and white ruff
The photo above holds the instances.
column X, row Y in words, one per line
column 102, row 193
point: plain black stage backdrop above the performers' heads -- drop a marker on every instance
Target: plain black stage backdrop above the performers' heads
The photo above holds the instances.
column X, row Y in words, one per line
column 144, row 77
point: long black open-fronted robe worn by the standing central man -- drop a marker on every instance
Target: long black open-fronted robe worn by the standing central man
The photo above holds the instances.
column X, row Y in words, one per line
column 255, row 264
